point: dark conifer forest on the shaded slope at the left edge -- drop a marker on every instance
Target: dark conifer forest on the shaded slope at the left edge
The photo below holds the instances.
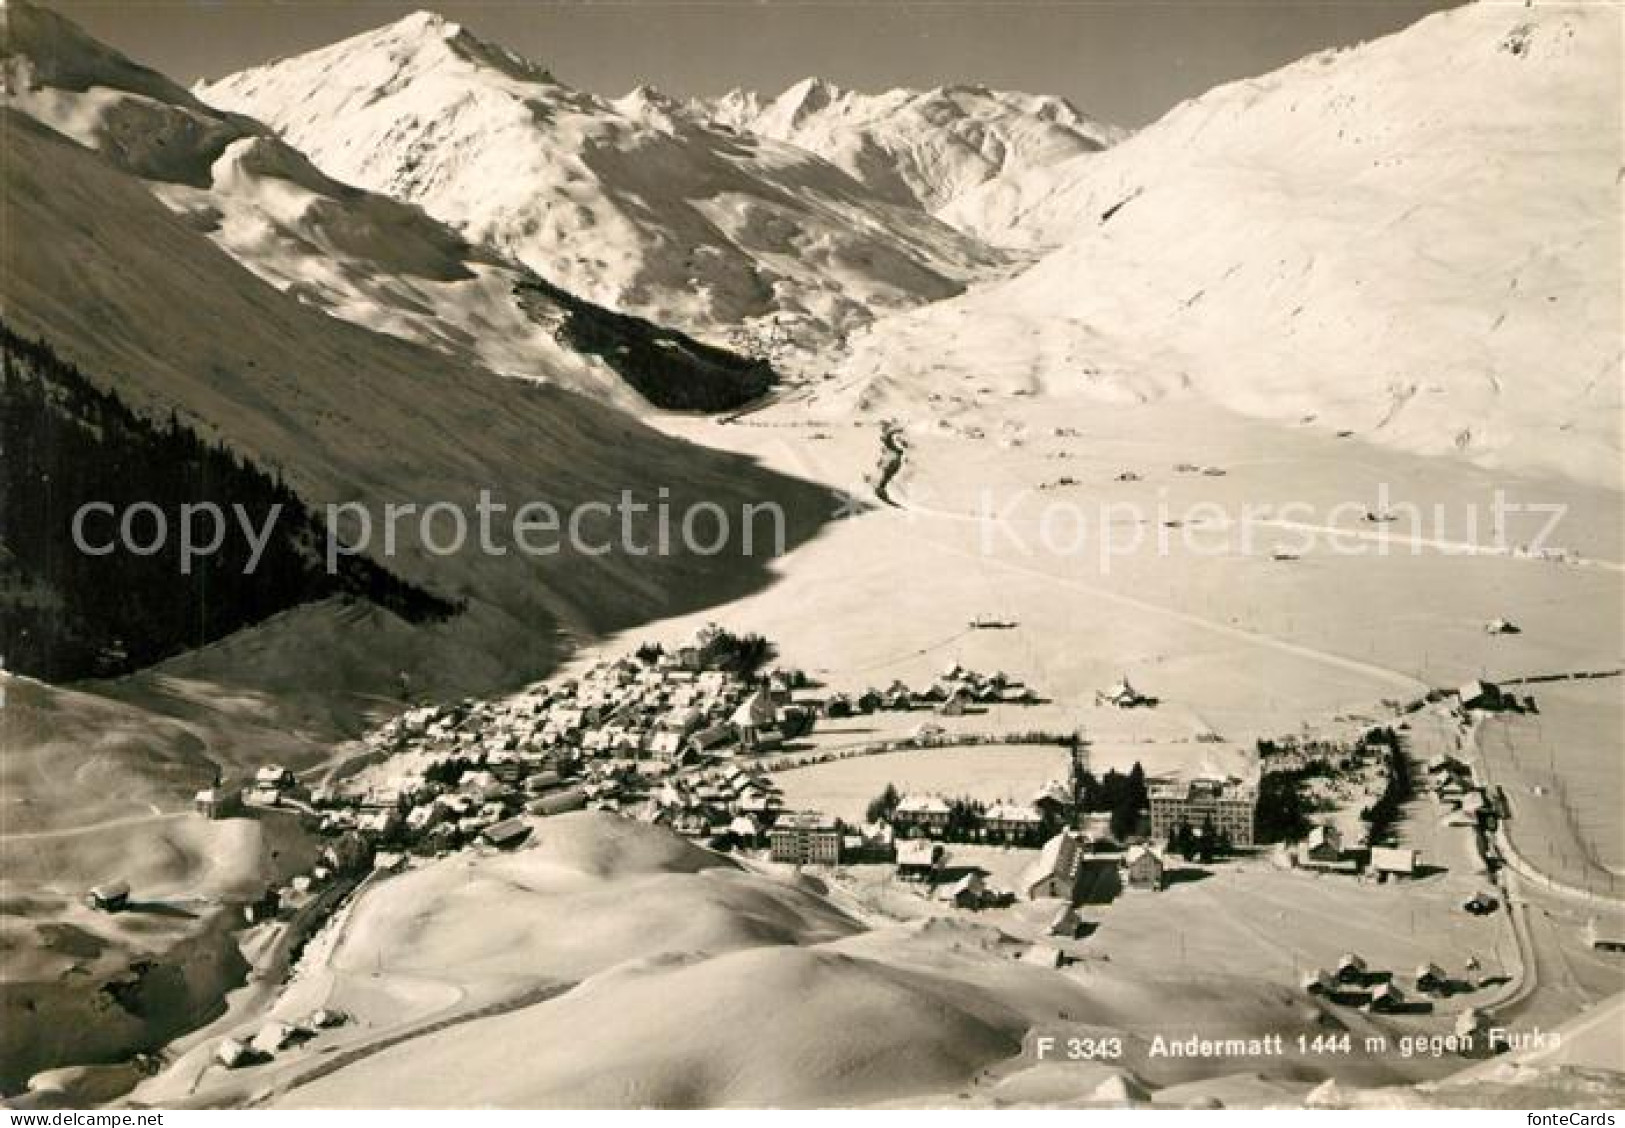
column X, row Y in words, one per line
column 66, row 614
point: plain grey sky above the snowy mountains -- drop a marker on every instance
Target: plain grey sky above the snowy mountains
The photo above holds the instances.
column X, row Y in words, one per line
column 1120, row 61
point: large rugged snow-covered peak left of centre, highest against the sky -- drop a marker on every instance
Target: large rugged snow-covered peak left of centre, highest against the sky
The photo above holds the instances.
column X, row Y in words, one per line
column 635, row 204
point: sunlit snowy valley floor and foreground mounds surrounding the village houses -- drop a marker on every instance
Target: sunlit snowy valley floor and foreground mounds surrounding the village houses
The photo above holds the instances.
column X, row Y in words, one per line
column 604, row 919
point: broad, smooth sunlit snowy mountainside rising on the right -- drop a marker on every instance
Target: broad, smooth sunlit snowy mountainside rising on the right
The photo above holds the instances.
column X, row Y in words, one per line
column 1416, row 241
